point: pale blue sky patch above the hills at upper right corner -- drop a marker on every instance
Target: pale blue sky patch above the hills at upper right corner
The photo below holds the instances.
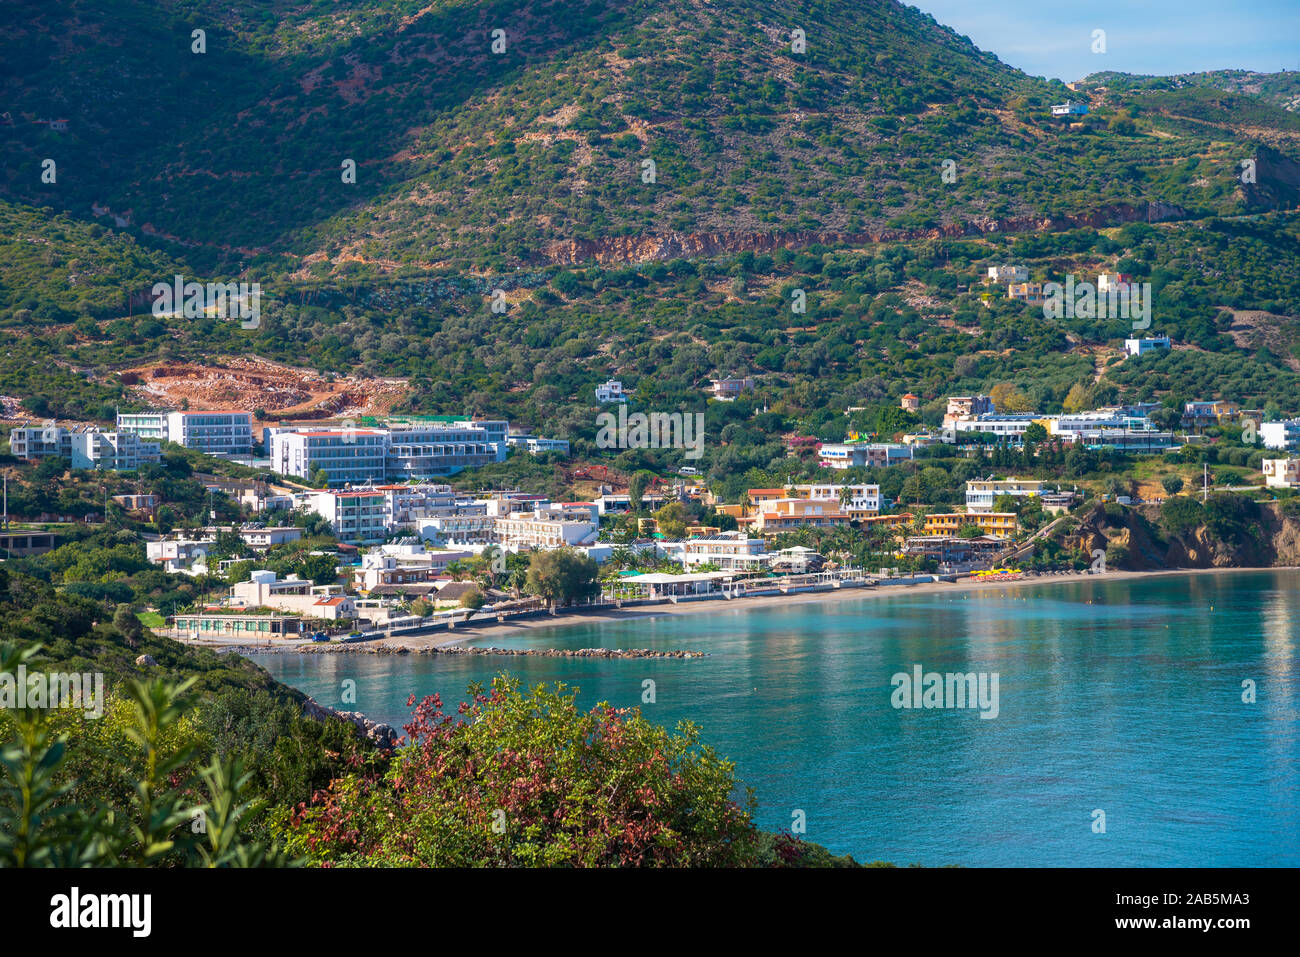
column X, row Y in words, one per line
column 1050, row 38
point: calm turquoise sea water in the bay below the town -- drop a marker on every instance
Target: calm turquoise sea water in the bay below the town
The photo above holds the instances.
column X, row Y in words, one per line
column 1121, row 696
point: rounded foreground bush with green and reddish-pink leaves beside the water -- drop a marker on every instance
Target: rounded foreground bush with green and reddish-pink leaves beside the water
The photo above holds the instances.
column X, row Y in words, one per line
column 528, row 780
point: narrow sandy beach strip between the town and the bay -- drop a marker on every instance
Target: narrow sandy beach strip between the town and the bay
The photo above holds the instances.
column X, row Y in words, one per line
column 739, row 607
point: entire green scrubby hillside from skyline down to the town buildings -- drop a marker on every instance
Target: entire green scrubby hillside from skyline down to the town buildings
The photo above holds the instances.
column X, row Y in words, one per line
column 774, row 172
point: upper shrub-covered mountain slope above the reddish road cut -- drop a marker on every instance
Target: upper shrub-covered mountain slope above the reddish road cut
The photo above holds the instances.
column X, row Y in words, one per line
column 538, row 154
